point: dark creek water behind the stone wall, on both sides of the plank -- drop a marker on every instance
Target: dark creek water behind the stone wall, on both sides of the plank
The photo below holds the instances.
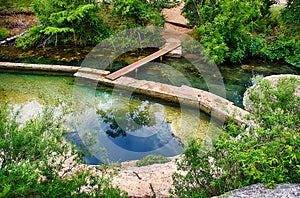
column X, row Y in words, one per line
column 236, row 77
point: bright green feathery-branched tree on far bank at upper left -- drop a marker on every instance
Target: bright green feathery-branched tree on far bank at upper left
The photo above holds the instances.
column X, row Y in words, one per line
column 66, row 22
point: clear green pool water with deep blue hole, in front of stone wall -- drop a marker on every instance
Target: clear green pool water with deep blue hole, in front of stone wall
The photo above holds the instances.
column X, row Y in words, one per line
column 128, row 128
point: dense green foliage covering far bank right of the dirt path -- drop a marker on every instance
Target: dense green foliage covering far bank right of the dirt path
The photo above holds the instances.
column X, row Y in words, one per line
column 235, row 30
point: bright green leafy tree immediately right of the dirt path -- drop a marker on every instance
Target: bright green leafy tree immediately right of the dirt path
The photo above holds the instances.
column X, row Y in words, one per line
column 226, row 28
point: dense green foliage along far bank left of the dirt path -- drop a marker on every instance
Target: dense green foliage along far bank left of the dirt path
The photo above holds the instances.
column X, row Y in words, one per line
column 87, row 22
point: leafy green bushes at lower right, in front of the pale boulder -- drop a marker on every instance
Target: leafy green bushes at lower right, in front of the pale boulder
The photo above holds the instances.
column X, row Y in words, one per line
column 267, row 152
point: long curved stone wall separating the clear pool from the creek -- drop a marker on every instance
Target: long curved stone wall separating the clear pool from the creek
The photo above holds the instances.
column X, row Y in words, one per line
column 208, row 102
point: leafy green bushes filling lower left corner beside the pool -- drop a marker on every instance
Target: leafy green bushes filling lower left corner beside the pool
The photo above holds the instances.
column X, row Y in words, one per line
column 36, row 161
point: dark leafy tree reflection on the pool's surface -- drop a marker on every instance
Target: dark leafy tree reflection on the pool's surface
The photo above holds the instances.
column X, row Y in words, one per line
column 137, row 117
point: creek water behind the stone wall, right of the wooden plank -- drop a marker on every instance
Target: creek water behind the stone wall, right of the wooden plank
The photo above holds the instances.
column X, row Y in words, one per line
column 237, row 78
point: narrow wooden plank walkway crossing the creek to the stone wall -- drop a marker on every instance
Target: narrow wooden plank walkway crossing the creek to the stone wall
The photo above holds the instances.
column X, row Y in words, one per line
column 135, row 65
